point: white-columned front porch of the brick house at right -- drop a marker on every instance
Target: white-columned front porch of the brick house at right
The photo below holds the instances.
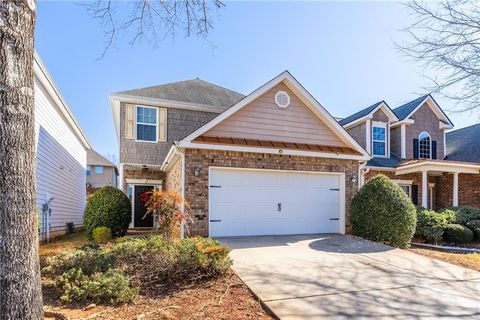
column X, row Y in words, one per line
column 437, row 169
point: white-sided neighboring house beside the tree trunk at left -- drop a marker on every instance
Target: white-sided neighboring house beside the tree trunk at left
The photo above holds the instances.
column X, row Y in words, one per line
column 61, row 151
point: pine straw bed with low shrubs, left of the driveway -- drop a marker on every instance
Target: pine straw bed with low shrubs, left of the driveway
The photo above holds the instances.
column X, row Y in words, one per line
column 188, row 280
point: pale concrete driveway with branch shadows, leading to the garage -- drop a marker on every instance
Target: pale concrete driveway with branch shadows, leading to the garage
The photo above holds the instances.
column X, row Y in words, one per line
column 341, row 276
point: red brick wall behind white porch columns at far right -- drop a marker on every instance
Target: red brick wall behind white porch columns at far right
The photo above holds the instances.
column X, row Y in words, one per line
column 468, row 190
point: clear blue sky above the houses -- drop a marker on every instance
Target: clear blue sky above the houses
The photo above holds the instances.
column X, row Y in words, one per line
column 342, row 52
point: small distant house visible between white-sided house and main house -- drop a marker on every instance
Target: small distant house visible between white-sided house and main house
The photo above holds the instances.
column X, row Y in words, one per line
column 100, row 172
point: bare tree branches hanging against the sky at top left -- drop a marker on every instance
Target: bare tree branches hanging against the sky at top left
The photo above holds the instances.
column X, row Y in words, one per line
column 154, row 20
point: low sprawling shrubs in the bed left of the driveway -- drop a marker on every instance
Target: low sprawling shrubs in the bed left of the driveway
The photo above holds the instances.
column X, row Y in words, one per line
column 117, row 273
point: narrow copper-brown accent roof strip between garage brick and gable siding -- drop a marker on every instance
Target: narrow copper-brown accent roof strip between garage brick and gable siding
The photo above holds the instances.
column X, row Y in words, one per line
column 275, row 145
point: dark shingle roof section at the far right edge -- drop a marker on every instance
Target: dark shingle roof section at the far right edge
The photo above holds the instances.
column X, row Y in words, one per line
column 462, row 144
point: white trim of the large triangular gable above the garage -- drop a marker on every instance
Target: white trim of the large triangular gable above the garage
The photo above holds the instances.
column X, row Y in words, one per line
column 302, row 94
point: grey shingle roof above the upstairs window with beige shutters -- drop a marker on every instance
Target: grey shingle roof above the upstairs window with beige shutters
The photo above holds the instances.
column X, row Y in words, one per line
column 192, row 91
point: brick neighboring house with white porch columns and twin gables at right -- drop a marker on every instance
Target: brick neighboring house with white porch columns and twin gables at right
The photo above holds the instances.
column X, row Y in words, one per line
column 410, row 145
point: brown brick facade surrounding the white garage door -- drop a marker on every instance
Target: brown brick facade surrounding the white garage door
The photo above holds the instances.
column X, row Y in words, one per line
column 196, row 187
